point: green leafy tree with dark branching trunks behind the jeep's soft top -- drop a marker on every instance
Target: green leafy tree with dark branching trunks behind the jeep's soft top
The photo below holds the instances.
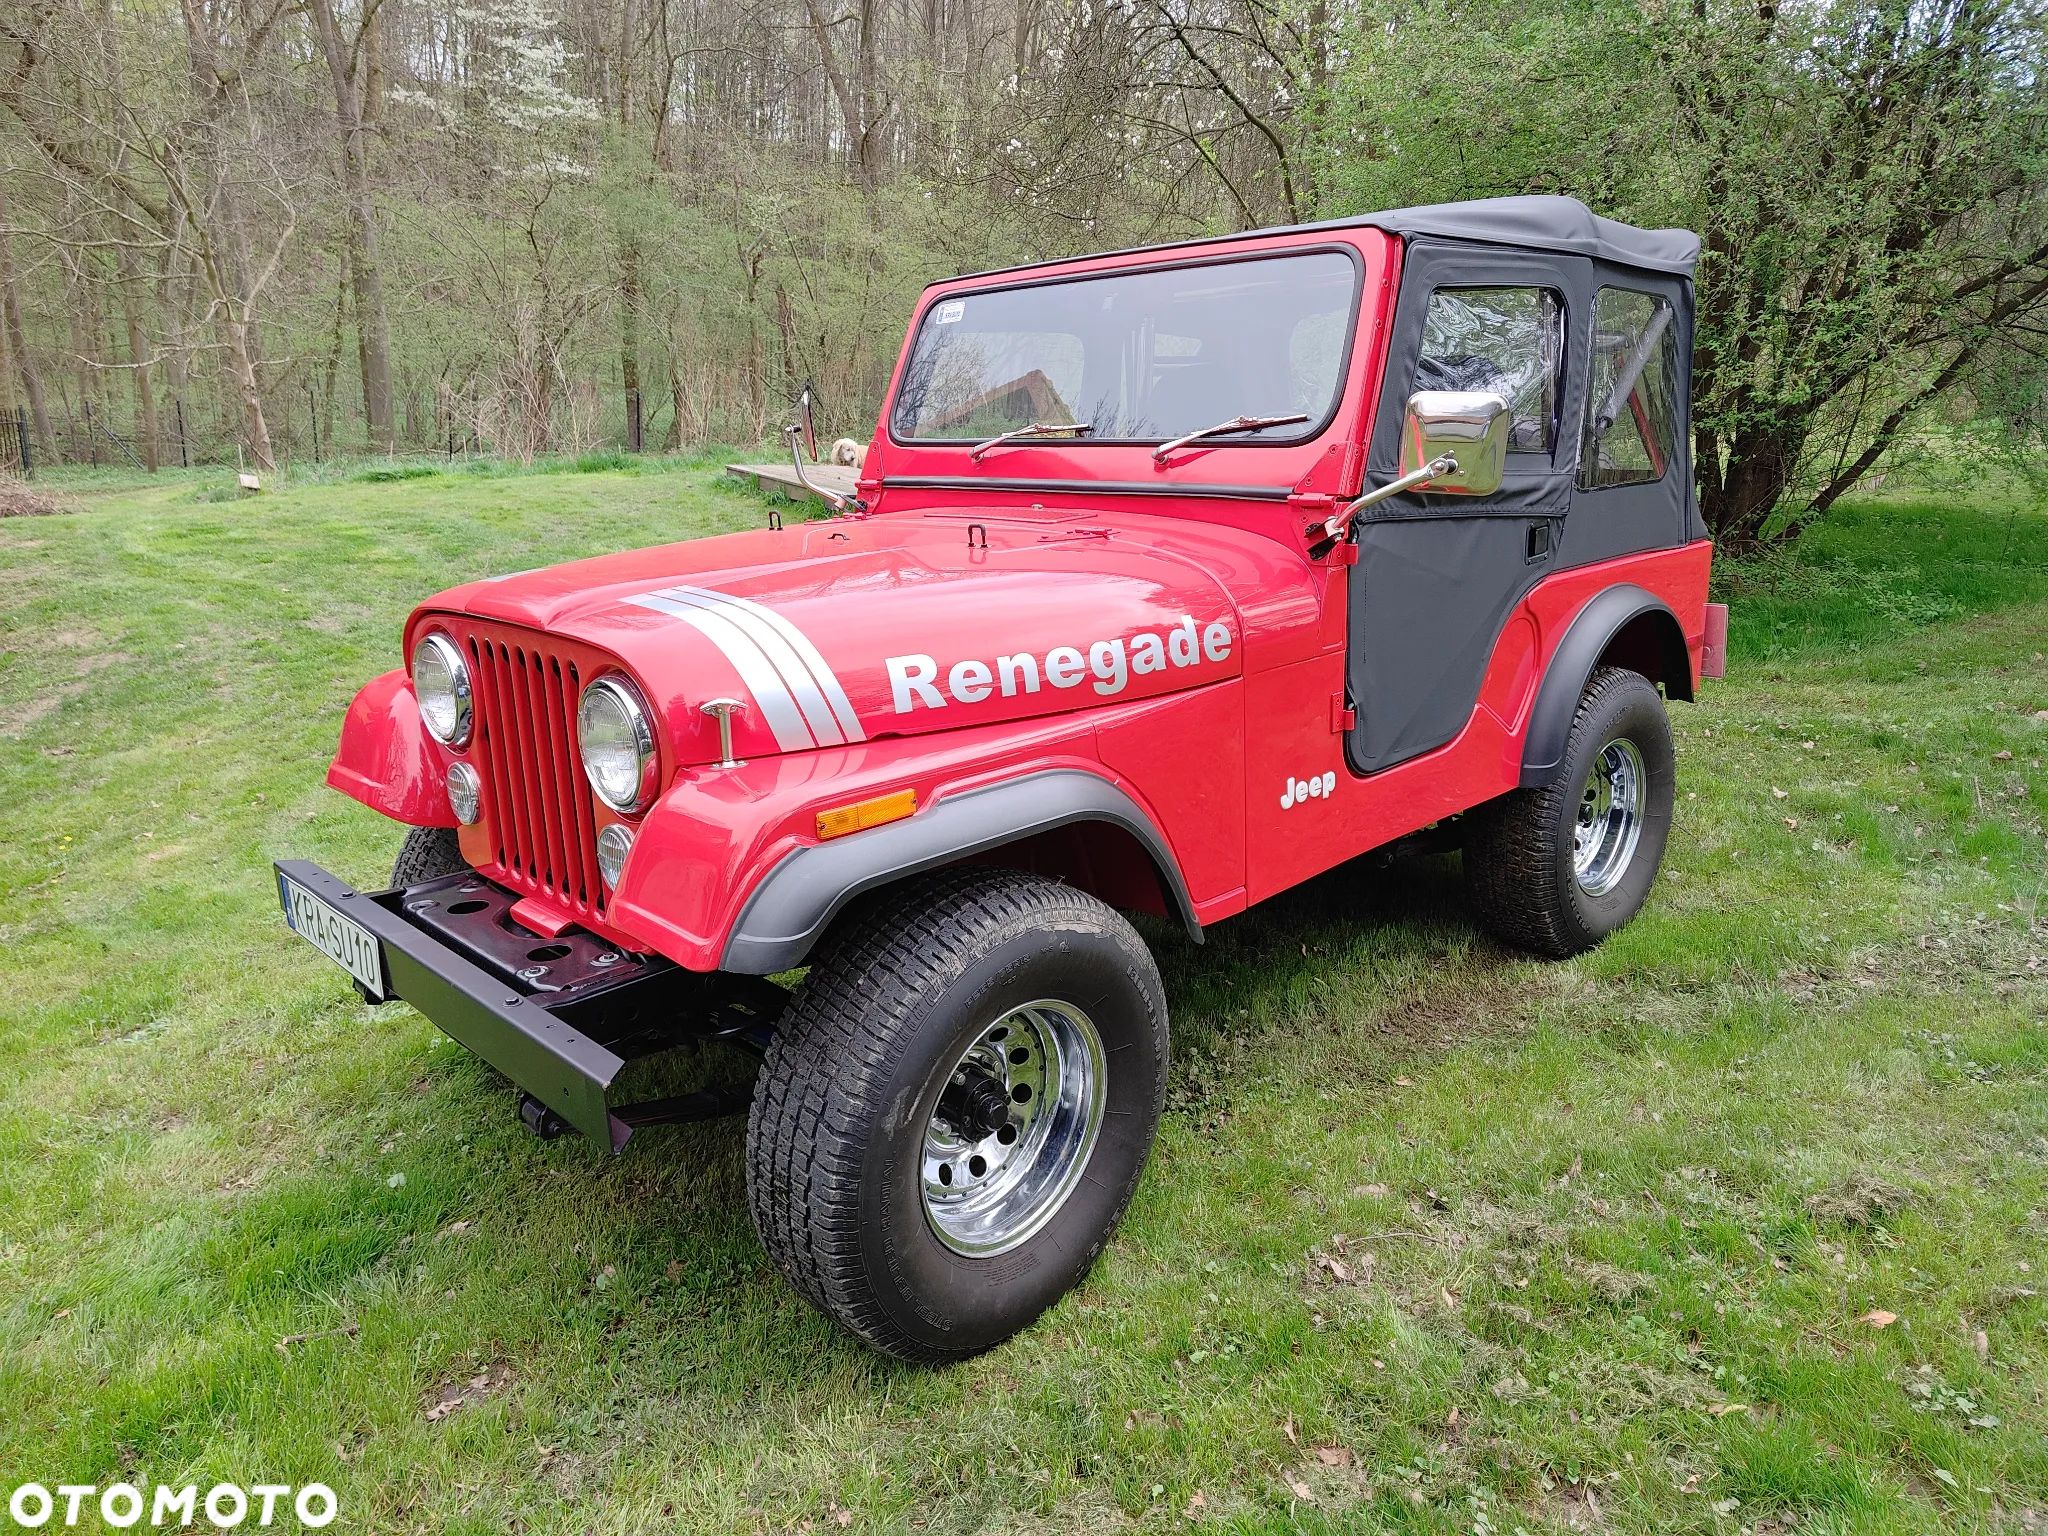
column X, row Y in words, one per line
column 1865, row 179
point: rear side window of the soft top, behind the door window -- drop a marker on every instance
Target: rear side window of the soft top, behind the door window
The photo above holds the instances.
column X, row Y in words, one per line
column 1631, row 407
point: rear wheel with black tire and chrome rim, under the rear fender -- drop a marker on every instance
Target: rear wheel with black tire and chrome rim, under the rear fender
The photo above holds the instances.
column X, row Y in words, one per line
column 1560, row 867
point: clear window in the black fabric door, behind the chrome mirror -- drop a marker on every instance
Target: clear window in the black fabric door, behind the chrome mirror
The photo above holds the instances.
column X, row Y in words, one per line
column 1502, row 341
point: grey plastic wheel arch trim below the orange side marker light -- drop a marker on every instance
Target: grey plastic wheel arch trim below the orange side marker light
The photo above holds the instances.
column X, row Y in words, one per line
column 1064, row 822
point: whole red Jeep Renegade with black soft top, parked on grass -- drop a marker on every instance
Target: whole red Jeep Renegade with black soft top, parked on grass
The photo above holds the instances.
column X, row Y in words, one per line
column 1172, row 579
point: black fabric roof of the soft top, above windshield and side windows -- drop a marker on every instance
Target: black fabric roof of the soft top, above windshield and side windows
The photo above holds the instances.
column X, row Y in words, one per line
column 1560, row 224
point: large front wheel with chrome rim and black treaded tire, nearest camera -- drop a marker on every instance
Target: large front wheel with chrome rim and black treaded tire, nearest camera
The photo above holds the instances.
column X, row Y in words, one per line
column 957, row 1109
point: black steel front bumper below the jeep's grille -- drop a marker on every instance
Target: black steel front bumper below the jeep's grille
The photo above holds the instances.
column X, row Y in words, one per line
column 560, row 1017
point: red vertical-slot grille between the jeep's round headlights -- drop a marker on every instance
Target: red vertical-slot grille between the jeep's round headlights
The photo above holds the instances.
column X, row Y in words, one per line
column 540, row 808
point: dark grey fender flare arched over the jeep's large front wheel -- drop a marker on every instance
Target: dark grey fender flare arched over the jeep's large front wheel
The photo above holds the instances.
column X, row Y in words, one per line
column 808, row 888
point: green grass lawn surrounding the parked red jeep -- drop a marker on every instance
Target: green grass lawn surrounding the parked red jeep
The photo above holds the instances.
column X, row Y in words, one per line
column 1437, row 1240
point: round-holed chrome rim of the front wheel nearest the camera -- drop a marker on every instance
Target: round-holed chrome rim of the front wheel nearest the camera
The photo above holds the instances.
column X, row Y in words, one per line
column 1013, row 1129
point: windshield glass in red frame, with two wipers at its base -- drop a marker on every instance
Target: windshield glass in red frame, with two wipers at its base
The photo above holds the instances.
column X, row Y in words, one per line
column 1138, row 355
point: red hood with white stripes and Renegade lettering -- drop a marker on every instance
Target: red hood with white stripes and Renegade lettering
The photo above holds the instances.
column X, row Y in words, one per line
column 853, row 630
